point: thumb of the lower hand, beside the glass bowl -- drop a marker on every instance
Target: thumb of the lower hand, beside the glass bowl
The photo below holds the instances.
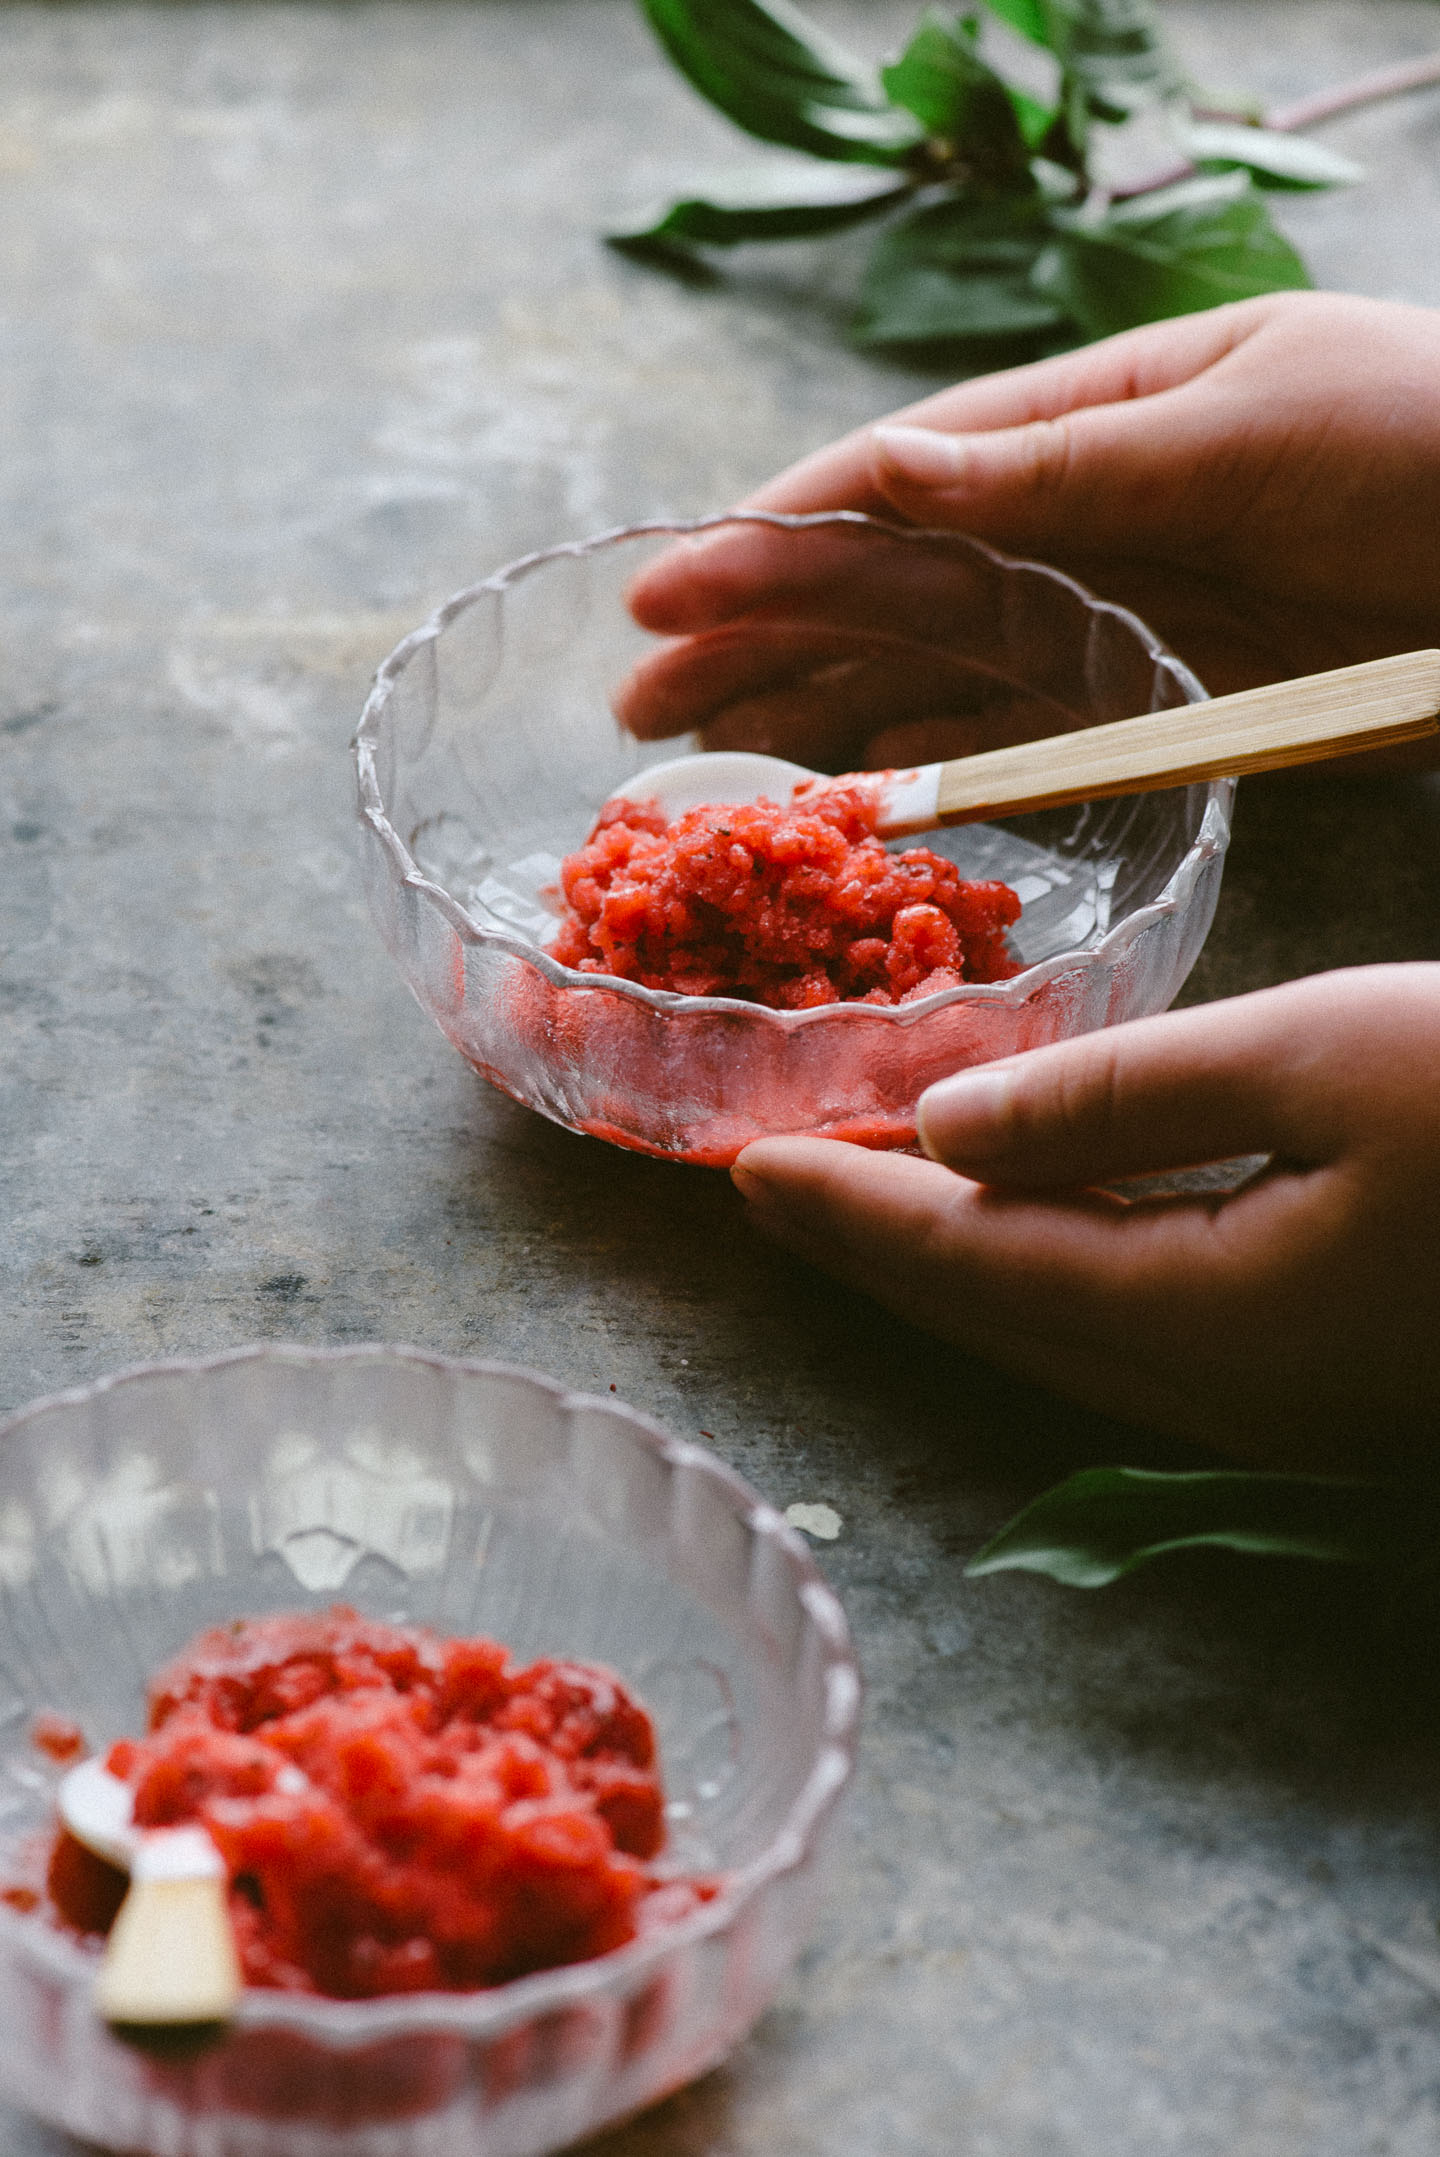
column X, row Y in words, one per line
column 1241, row 1077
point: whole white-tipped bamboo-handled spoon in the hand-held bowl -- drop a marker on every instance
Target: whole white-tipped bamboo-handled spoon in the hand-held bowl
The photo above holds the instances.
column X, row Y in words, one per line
column 1260, row 730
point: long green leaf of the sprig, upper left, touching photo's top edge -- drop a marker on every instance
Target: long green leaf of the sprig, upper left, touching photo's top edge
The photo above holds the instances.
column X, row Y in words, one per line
column 781, row 79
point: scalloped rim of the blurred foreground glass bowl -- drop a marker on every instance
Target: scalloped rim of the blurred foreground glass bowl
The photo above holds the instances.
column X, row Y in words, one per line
column 493, row 2011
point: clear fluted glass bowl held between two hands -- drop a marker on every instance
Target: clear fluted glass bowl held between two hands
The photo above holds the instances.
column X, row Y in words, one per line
column 488, row 747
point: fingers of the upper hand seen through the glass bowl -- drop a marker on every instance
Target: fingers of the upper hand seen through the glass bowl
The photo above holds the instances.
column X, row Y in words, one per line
column 857, row 644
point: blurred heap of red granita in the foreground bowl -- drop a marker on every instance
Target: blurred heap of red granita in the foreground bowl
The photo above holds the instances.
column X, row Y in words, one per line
column 398, row 1811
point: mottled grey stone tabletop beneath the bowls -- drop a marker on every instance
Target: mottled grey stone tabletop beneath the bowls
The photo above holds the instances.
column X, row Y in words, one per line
column 305, row 325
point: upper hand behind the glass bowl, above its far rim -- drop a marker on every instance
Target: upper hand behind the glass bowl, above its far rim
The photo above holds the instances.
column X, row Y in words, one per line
column 1260, row 482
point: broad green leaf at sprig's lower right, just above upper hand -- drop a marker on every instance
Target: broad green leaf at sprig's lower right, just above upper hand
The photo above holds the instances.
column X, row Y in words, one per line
column 1172, row 251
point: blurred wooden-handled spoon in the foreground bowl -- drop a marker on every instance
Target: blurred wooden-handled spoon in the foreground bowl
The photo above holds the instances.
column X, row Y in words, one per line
column 171, row 1955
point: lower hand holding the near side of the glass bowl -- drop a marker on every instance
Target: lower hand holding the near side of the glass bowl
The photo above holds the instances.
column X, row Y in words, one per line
column 1290, row 1323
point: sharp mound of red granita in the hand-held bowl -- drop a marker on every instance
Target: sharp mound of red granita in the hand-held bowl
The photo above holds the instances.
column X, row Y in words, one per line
column 792, row 907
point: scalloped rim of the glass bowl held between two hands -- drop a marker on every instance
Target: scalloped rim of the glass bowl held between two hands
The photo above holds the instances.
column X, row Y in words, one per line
column 1210, row 840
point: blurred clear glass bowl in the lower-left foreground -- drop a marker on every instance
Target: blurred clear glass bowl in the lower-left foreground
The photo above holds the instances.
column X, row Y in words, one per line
column 475, row 1500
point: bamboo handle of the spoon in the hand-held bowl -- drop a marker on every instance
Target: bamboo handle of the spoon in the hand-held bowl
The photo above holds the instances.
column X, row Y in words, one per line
column 1260, row 730
